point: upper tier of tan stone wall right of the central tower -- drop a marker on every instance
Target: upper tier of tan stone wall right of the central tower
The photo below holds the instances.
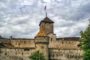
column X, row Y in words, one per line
column 64, row 44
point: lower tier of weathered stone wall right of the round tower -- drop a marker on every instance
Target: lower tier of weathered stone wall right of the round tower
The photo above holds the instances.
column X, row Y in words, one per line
column 57, row 54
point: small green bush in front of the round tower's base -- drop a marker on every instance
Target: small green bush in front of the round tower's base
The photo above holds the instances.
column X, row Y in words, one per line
column 37, row 56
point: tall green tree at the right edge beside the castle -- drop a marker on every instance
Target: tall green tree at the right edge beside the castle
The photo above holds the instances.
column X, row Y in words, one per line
column 85, row 43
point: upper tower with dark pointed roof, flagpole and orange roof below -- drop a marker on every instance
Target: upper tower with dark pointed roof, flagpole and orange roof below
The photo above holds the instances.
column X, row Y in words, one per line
column 46, row 26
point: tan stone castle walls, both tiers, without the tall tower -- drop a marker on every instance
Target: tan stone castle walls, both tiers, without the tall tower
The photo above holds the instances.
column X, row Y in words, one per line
column 59, row 49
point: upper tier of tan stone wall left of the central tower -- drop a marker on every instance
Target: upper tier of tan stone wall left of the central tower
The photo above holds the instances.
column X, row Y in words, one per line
column 23, row 43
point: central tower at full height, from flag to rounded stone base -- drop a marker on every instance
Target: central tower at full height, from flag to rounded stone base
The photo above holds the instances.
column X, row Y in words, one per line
column 42, row 38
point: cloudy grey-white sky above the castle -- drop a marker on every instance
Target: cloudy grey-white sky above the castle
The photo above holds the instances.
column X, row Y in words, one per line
column 20, row 18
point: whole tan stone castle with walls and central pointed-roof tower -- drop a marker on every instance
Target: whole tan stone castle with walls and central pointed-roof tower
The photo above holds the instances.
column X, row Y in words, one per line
column 53, row 48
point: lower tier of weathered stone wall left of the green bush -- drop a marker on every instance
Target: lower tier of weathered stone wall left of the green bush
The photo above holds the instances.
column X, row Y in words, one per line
column 15, row 54
